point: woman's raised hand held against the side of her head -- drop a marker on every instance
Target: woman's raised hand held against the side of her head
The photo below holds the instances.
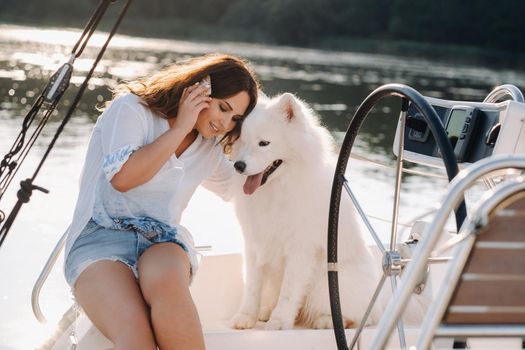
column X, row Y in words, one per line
column 192, row 101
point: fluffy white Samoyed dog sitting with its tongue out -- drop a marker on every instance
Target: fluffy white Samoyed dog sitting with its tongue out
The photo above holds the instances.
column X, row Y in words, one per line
column 286, row 160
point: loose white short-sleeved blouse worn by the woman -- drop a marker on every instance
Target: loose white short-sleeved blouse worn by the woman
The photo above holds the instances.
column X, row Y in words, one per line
column 125, row 126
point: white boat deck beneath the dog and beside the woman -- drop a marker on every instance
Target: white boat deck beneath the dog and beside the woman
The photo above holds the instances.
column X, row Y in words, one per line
column 217, row 291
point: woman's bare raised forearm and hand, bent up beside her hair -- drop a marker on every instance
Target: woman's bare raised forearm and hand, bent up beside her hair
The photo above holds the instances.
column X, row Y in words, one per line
column 145, row 162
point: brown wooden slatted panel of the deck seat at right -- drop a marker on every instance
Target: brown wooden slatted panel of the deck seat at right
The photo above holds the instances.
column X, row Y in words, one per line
column 491, row 289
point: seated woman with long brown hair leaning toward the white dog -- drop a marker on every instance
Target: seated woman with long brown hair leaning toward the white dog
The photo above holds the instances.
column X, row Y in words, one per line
column 128, row 260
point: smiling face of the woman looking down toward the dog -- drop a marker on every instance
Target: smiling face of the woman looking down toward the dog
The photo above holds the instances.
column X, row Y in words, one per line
column 222, row 115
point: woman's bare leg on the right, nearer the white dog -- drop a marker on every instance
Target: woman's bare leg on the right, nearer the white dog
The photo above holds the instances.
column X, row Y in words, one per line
column 164, row 271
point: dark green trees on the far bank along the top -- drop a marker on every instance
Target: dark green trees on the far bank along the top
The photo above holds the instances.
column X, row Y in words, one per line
column 478, row 23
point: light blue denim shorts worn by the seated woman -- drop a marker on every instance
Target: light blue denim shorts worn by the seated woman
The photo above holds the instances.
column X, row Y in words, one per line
column 96, row 243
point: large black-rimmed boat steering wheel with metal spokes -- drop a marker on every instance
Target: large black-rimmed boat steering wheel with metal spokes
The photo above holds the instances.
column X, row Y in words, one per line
column 391, row 258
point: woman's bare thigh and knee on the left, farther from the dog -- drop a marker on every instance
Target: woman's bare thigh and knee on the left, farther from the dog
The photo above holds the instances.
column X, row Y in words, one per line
column 110, row 295
